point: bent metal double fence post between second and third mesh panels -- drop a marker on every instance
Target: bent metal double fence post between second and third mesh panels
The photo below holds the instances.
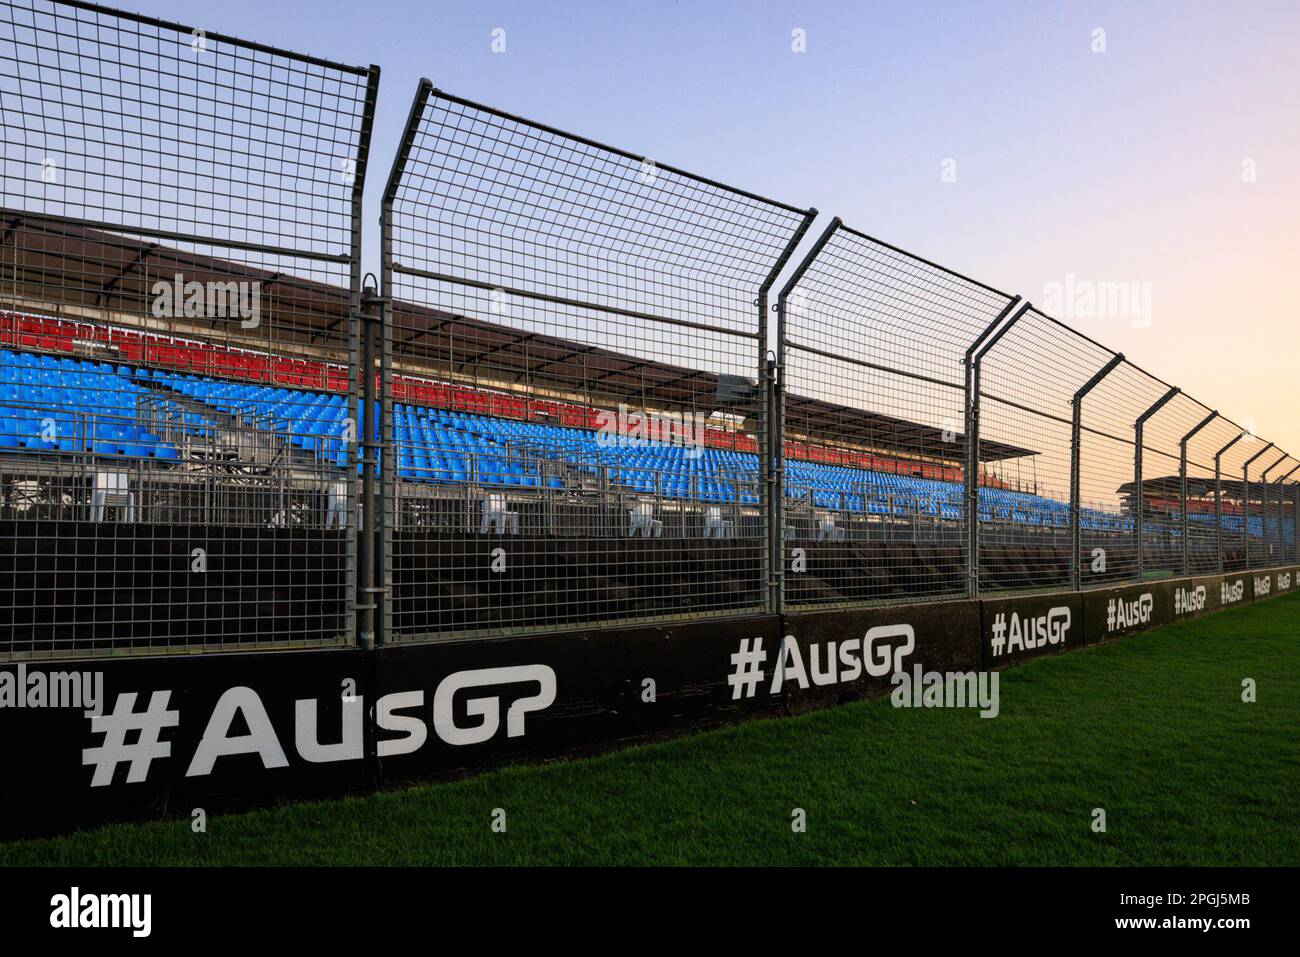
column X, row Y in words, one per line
column 773, row 453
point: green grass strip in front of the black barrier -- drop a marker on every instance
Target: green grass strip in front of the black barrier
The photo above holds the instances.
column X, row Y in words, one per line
column 1151, row 729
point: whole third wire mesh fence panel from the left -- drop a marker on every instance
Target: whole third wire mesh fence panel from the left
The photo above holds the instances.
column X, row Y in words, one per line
column 873, row 423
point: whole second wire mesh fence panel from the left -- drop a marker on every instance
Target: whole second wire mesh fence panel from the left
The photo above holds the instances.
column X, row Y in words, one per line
column 573, row 380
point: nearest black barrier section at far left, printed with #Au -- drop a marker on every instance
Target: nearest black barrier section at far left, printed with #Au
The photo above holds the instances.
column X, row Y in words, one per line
column 210, row 734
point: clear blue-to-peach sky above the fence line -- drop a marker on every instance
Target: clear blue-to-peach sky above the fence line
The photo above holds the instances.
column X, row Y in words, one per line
column 1172, row 159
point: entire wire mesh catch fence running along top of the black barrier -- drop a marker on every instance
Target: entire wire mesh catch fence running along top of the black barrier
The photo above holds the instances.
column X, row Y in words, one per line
column 560, row 405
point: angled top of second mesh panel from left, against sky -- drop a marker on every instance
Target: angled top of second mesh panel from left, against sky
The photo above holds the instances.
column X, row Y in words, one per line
column 492, row 201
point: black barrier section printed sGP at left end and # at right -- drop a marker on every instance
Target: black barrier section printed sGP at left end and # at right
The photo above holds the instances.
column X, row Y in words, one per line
column 448, row 708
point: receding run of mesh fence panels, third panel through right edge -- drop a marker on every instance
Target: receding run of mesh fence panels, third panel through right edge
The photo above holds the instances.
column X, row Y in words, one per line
column 943, row 439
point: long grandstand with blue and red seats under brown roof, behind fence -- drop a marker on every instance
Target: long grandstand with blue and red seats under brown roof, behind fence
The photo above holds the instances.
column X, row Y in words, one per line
column 105, row 421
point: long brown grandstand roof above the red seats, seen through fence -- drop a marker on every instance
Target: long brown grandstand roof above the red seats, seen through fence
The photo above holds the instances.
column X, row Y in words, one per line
column 71, row 265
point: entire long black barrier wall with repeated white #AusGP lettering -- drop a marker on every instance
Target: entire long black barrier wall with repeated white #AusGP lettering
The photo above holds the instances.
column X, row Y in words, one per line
column 219, row 734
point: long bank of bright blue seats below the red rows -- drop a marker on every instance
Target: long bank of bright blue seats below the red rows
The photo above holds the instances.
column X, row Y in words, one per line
column 45, row 404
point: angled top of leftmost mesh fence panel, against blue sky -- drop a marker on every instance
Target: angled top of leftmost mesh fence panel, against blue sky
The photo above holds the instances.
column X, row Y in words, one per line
column 138, row 125
